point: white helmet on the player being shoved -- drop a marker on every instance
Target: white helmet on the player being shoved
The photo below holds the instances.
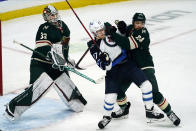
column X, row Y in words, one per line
column 95, row 26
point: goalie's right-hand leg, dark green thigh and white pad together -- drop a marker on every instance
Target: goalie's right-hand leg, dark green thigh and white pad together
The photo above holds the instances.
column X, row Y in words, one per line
column 64, row 86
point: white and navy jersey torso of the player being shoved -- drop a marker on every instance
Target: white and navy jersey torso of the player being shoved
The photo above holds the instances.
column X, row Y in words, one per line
column 116, row 48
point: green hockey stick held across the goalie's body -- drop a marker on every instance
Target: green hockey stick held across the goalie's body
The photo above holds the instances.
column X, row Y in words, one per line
column 66, row 67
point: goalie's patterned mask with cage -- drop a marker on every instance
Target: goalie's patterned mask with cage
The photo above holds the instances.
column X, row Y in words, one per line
column 50, row 14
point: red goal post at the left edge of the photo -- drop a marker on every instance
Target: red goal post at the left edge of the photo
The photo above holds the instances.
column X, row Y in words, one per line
column 1, row 71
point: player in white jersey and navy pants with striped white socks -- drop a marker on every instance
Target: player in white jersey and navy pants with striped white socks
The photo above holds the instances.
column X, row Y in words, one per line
column 110, row 54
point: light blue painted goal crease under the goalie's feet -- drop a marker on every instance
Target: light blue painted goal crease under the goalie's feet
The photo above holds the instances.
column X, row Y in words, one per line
column 45, row 112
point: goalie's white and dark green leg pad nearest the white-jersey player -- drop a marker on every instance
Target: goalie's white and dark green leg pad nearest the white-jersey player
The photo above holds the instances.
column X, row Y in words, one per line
column 69, row 93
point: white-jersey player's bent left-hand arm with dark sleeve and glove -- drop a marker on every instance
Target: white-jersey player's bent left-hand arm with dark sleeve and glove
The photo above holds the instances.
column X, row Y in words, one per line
column 102, row 58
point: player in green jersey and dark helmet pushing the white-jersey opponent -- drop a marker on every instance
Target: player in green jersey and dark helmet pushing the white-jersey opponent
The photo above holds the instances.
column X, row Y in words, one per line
column 139, row 51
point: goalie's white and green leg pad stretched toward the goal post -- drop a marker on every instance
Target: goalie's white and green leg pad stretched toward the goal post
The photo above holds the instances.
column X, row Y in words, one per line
column 30, row 96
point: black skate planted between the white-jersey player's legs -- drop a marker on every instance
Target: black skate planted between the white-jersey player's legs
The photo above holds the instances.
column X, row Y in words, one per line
column 122, row 114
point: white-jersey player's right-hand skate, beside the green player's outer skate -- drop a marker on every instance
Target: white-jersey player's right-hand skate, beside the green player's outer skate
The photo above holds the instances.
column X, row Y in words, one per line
column 153, row 116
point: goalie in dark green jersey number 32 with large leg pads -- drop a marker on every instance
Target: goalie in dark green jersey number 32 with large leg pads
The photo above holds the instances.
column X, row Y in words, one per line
column 52, row 40
